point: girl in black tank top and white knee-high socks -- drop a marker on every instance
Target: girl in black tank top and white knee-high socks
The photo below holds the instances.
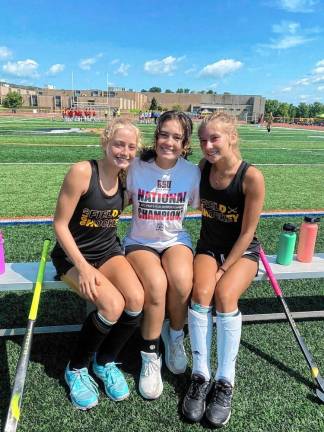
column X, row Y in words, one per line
column 226, row 262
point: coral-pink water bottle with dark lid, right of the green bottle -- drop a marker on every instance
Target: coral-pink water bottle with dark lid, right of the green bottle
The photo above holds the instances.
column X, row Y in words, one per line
column 307, row 239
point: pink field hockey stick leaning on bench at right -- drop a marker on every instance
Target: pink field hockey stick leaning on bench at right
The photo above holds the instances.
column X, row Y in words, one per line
column 309, row 359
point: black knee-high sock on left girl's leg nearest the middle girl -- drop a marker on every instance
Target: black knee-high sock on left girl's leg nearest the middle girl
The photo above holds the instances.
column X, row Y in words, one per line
column 115, row 341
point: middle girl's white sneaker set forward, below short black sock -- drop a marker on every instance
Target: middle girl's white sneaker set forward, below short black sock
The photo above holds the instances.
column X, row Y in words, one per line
column 150, row 383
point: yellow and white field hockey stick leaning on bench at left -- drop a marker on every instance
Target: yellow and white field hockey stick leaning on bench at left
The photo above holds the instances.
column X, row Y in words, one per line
column 21, row 371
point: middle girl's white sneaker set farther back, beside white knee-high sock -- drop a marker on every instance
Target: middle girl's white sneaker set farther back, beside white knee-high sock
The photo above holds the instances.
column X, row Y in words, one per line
column 175, row 355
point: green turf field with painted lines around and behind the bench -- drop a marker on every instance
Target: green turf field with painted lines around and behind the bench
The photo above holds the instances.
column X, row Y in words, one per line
column 273, row 388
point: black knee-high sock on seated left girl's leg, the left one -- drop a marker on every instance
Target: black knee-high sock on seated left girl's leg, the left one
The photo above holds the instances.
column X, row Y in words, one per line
column 91, row 336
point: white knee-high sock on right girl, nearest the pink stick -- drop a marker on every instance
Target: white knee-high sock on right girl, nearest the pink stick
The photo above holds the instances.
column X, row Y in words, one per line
column 229, row 327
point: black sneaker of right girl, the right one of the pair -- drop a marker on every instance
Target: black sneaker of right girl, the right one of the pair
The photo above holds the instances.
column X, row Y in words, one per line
column 218, row 410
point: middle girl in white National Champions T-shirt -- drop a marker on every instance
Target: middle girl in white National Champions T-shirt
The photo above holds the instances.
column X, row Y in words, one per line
column 161, row 184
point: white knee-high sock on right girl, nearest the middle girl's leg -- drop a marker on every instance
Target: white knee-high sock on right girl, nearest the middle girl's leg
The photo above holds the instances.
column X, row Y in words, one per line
column 200, row 331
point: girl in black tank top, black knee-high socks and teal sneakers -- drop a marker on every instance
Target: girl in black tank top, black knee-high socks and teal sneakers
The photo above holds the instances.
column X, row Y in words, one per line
column 89, row 258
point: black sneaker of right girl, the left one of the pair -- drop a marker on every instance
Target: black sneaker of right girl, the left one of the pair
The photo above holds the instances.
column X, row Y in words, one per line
column 194, row 403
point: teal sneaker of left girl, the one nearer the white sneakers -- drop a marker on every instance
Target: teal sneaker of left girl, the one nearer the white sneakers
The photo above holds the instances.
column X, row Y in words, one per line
column 115, row 384
